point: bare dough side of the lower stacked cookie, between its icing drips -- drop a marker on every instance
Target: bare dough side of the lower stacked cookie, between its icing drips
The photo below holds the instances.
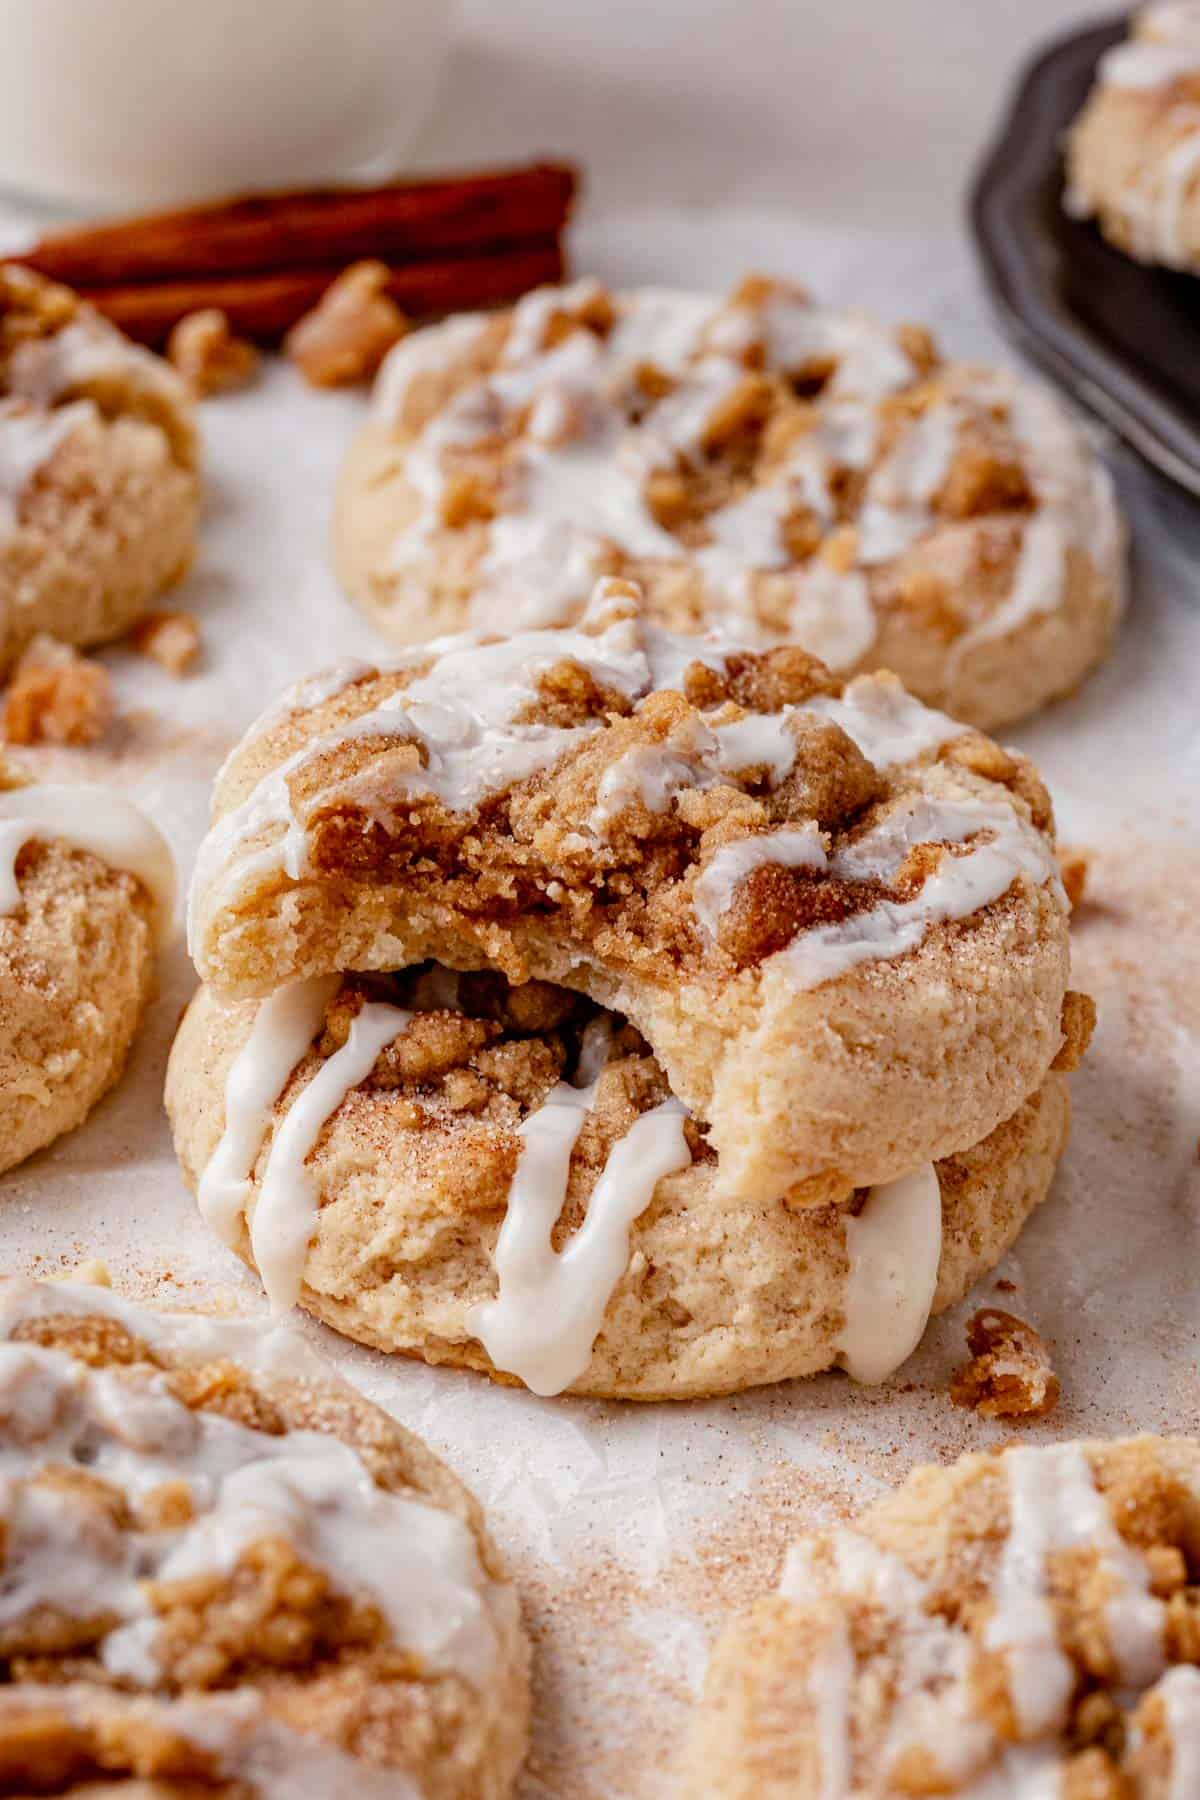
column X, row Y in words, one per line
column 715, row 1299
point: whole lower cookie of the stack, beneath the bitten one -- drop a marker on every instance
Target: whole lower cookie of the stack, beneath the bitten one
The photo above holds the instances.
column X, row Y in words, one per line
column 499, row 1178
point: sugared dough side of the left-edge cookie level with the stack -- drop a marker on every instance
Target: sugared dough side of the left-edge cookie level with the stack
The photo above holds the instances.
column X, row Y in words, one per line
column 76, row 971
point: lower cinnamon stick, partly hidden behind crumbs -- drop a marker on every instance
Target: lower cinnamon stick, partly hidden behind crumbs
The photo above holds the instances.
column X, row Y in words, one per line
column 265, row 307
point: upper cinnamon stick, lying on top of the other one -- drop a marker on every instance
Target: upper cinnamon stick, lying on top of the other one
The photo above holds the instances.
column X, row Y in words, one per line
column 402, row 222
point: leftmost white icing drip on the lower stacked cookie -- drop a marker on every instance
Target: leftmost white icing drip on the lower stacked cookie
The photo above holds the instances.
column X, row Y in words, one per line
column 280, row 1038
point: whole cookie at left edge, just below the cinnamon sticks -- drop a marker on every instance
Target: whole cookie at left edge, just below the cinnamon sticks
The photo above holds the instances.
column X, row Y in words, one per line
column 98, row 471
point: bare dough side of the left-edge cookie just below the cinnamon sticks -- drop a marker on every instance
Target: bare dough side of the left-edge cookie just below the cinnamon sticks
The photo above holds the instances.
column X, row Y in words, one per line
column 103, row 528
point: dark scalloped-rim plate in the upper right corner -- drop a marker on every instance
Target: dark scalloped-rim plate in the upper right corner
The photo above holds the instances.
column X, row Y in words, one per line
column 1124, row 339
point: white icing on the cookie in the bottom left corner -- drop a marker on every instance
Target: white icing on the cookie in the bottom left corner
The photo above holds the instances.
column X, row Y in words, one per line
column 415, row 1561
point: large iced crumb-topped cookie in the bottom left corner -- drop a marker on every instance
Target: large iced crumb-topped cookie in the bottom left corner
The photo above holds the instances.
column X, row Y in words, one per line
column 226, row 1572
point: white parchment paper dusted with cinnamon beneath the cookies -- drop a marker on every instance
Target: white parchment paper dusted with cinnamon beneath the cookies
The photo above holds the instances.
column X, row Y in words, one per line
column 636, row 1529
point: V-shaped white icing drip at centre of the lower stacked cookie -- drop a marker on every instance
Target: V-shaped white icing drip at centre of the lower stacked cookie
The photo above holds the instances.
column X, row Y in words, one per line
column 551, row 1304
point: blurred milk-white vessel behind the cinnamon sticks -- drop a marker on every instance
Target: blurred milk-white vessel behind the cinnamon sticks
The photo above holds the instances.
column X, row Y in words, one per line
column 125, row 103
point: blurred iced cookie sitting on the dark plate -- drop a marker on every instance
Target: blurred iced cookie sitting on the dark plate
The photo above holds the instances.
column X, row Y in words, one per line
column 1134, row 154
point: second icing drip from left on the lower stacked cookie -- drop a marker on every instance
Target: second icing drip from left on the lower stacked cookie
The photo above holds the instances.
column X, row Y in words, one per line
column 285, row 1214
